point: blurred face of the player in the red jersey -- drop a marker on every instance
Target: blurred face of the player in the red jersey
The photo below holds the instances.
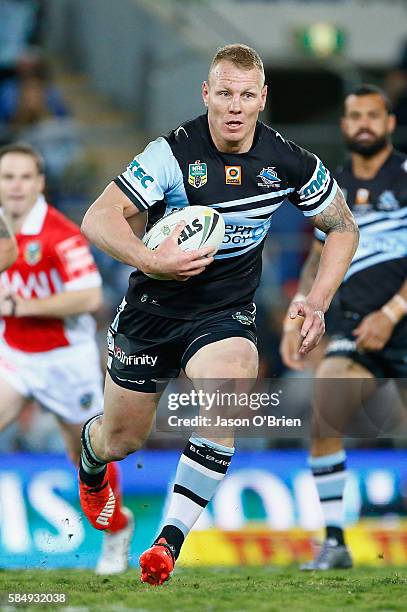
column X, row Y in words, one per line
column 20, row 183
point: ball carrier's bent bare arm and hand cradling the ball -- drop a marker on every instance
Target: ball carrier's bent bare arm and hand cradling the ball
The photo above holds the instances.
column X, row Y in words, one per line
column 108, row 224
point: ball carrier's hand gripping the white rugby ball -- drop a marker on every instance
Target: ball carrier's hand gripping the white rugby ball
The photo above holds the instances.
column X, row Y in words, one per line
column 171, row 260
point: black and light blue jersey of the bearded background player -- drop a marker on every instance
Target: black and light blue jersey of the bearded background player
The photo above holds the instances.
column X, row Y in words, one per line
column 379, row 266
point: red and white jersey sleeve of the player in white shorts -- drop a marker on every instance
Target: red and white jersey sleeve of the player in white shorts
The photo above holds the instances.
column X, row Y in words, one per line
column 75, row 264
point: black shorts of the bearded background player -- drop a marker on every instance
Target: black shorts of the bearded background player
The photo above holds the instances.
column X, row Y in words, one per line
column 390, row 362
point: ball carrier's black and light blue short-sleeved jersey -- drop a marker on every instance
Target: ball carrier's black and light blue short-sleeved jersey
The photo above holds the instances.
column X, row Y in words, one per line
column 186, row 169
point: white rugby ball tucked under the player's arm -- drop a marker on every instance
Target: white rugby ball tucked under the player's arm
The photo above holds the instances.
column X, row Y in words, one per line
column 204, row 227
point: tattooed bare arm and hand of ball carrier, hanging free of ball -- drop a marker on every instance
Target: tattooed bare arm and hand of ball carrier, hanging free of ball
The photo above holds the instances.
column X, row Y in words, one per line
column 341, row 243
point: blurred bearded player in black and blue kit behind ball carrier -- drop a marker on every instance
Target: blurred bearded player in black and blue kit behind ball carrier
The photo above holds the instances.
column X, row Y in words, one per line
column 370, row 330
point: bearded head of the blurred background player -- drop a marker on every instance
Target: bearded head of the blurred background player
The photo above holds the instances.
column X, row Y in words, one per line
column 367, row 125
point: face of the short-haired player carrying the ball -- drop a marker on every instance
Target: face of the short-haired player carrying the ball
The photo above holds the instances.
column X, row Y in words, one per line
column 234, row 98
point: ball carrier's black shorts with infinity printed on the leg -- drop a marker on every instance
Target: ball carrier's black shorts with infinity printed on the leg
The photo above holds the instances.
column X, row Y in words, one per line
column 146, row 351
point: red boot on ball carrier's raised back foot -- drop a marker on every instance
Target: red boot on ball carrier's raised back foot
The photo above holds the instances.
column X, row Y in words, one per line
column 98, row 503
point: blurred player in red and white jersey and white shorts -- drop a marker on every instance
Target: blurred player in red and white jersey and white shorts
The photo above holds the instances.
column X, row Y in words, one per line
column 48, row 350
